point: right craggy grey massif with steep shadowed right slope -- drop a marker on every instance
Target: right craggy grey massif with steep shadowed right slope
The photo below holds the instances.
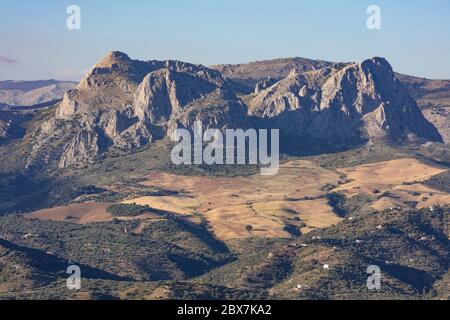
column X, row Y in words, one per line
column 342, row 103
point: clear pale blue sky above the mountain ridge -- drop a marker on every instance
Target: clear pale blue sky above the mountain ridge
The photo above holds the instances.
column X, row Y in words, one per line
column 35, row 43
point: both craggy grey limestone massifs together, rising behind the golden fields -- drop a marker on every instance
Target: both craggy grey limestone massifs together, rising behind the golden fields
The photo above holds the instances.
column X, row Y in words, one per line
column 126, row 104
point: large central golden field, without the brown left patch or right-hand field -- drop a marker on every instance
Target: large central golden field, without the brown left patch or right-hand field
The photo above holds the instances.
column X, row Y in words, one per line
column 265, row 203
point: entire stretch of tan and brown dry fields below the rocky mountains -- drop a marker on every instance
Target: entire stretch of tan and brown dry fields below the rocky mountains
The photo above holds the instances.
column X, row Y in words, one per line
column 280, row 206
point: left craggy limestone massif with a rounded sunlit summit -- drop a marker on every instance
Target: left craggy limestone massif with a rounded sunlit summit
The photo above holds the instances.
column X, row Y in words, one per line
column 126, row 104
